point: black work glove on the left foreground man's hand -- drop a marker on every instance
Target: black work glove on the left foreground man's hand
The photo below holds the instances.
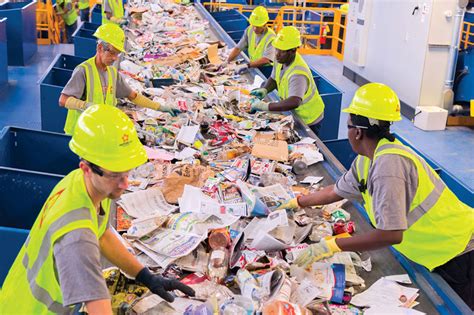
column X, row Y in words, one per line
column 161, row 286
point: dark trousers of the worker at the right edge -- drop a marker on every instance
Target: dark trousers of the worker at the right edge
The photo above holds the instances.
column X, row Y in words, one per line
column 459, row 274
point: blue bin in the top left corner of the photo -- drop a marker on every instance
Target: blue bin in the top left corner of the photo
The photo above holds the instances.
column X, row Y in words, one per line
column 21, row 31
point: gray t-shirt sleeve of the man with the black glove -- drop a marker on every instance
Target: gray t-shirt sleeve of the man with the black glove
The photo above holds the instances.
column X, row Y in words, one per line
column 79, row 269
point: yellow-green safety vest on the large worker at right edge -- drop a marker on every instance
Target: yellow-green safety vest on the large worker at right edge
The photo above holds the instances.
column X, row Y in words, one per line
column 439, row 225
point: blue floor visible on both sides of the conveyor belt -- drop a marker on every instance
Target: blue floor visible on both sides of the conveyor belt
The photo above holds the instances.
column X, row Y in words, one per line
column 452, row 148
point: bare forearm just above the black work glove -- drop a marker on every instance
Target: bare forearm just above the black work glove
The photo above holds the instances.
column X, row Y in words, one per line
column 114, row 250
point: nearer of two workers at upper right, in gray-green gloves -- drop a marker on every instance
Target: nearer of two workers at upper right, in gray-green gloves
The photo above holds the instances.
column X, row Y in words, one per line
column 292, row 78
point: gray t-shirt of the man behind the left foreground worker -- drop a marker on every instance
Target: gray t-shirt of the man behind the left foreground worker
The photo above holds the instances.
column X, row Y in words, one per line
column 76, row 86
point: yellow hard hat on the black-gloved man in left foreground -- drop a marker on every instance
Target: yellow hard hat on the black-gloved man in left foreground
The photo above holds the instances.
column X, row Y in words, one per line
column 105, row 136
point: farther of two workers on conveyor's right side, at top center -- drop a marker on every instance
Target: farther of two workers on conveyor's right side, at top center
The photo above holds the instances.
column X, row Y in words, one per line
column 257, row 40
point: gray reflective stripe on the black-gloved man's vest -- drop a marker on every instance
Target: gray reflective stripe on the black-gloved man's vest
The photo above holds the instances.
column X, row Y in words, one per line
column 32, row 272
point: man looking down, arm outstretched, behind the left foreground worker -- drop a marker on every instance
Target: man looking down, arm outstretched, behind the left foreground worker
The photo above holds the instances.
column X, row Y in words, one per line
column 96, row 81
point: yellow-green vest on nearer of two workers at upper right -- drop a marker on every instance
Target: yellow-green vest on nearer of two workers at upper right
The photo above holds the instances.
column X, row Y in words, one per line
column 312, row 106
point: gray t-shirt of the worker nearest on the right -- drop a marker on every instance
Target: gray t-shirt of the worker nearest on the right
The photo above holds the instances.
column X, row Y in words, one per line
column 392, row 183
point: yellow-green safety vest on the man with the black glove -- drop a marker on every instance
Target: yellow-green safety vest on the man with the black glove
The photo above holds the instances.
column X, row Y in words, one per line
column 31, row 286
